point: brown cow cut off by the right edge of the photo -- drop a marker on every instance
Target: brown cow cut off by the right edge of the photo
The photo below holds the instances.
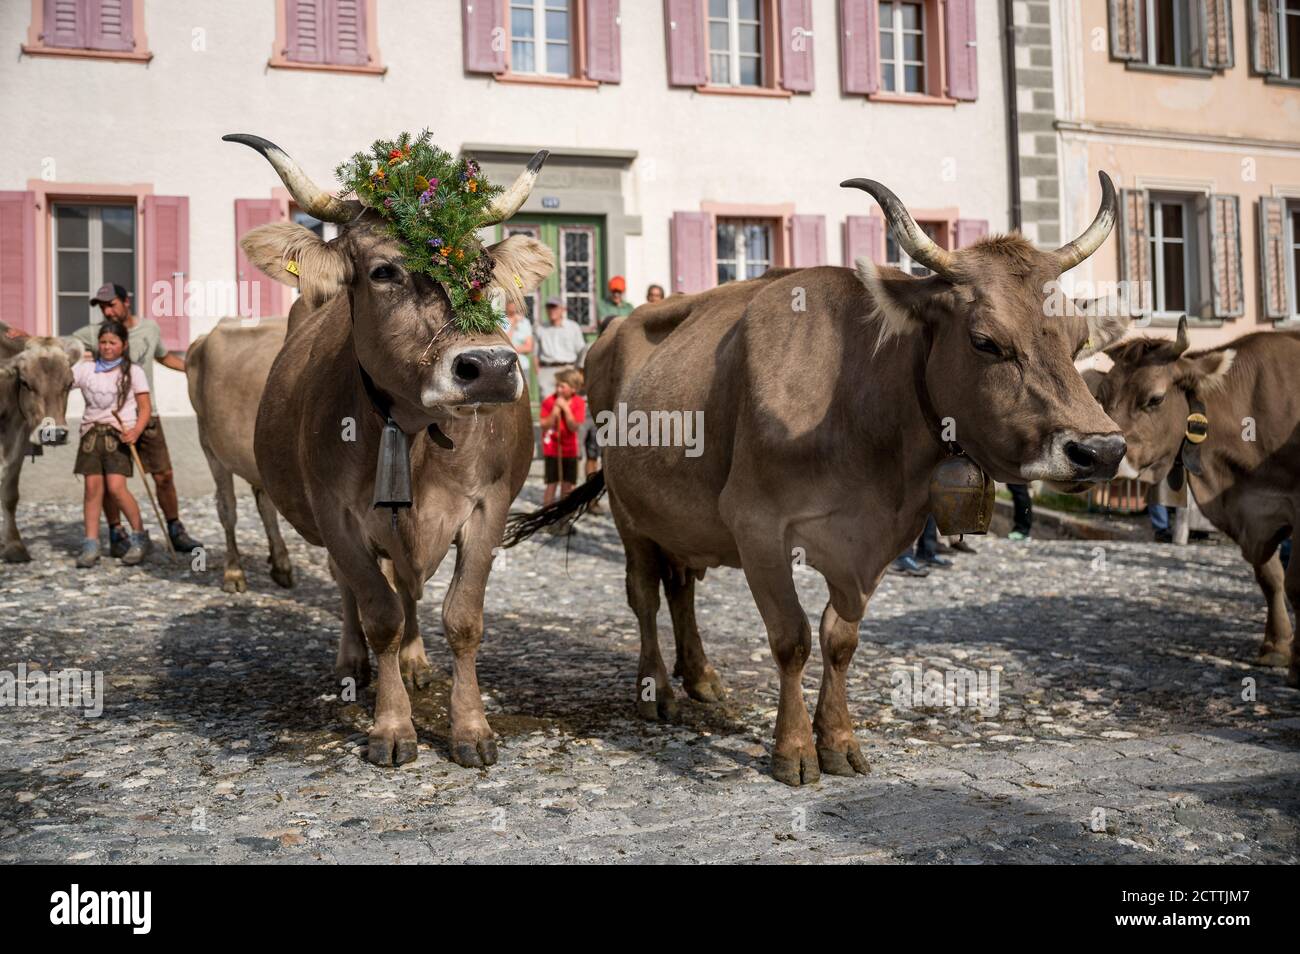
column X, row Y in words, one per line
column 1246, row 472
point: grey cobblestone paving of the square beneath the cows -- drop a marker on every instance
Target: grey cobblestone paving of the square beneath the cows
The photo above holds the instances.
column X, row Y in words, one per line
column 224, row 738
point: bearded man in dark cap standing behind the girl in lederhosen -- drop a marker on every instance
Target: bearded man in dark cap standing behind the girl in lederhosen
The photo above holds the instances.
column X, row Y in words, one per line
column 145, row 346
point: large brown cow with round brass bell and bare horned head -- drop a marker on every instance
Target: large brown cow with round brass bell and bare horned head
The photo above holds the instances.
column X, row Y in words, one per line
column 824, row 396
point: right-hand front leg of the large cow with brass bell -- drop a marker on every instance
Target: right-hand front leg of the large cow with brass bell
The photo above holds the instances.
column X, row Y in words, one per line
column 838, row 749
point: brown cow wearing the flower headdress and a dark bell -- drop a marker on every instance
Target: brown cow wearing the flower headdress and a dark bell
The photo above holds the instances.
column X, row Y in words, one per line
column 372, row 332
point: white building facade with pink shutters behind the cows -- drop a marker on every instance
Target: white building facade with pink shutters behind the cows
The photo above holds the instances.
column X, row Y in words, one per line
column 692, row 141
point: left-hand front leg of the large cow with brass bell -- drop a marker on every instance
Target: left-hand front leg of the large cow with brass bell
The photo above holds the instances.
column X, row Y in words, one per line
column 768, row 571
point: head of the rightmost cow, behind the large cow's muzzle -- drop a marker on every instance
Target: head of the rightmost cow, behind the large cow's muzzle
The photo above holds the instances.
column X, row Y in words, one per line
column 1146, row 394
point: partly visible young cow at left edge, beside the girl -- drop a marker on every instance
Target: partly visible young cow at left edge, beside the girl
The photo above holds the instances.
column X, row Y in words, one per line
column 36, row 378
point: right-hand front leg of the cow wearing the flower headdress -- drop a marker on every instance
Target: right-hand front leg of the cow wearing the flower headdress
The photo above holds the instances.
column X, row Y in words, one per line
column 473, row 741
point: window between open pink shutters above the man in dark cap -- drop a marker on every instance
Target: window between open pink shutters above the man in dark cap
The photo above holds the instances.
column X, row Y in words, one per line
column 94, row 245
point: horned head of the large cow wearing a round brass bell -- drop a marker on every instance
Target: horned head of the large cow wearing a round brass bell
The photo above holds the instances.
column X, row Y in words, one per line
column 1003, row 345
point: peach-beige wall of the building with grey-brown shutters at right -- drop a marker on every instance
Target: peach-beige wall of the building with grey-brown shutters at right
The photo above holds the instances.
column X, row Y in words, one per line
column 1208, row 133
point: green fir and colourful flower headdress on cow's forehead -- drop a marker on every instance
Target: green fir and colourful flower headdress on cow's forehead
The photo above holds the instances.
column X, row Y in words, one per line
column 434, row 205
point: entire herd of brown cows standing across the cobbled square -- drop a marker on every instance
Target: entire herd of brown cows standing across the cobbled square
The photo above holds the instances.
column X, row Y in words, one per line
column 825, row 423
